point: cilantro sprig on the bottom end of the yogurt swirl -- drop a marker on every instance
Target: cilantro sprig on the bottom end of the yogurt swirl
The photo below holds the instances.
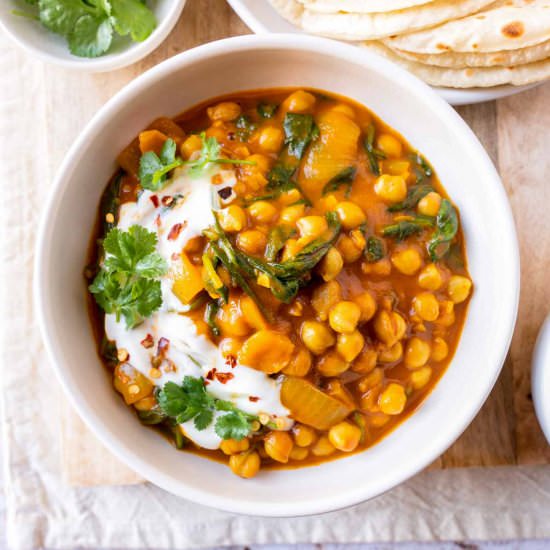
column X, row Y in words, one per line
column 190, row 400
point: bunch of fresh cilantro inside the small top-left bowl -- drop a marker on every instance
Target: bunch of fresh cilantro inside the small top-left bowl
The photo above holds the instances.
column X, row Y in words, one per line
column 89, row 25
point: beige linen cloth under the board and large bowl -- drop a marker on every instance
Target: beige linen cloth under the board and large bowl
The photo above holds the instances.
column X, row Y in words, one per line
column 44, row 511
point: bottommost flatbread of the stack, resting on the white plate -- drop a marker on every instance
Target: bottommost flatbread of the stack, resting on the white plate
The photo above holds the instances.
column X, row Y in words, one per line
column 481, row 77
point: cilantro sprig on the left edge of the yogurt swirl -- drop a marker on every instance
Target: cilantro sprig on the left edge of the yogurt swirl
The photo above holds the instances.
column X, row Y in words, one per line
column 127, row 284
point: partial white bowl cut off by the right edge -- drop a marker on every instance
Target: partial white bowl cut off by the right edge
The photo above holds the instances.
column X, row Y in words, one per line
column 540, row 378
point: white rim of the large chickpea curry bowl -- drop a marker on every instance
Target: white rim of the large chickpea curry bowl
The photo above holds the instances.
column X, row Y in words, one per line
column 289, row 42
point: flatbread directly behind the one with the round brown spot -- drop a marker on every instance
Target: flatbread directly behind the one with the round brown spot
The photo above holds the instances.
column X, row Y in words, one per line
column 355, row 26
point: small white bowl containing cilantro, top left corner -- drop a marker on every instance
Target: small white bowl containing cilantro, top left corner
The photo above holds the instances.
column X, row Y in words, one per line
column 52, row 48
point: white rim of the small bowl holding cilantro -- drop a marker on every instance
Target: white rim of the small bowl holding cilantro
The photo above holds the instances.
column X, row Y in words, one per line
column 132, row 54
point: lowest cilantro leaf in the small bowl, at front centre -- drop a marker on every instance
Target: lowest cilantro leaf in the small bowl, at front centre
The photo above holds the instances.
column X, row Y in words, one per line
column 91, row 36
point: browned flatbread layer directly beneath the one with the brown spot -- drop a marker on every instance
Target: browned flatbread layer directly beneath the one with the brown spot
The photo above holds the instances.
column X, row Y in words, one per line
column 457, row 60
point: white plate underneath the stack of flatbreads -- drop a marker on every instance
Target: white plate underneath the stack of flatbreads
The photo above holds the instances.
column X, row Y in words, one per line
column 262, row 17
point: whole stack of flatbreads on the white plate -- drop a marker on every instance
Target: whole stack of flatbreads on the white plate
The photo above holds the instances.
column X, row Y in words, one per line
column 449, row 43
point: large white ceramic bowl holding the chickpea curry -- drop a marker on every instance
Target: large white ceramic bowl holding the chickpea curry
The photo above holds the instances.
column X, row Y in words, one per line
column 252, row 62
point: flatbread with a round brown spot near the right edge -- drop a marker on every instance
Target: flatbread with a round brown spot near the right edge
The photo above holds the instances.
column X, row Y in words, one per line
column 504, row 28
